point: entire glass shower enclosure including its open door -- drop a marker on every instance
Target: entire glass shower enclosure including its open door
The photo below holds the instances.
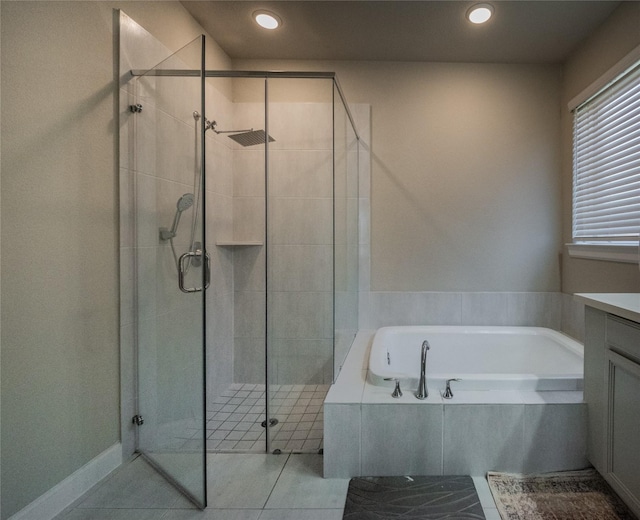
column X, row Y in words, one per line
column 246, row 259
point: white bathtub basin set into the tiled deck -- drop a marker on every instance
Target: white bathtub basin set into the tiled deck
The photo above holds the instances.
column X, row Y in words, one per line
column 483, row 358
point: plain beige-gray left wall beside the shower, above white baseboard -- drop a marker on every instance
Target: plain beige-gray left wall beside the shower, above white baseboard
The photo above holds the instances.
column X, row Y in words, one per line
column 60, row 336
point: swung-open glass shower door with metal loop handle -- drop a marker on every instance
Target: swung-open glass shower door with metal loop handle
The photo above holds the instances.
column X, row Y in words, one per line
column 169, row 205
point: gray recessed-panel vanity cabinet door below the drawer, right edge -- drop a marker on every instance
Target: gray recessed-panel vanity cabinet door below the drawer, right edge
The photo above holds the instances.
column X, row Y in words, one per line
column 624, row 428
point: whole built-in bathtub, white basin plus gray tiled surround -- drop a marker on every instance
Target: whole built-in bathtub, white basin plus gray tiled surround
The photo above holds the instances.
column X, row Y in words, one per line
column 519, row 430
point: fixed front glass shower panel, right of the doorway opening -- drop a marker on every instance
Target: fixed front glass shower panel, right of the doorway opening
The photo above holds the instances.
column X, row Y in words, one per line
column 299, row 260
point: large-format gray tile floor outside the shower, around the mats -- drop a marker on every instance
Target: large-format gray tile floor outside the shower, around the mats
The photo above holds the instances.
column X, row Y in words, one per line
column 247, row 486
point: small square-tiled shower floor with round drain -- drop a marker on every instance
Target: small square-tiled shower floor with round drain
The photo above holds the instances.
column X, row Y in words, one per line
column 234, row 419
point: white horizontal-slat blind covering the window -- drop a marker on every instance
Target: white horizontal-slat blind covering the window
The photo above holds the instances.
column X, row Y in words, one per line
column 606, row 163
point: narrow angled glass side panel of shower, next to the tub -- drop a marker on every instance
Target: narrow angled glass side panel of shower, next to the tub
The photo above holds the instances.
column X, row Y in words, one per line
column 346, row 231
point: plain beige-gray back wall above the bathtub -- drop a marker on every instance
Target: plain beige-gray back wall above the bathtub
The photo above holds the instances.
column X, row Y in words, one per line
column 465, row 187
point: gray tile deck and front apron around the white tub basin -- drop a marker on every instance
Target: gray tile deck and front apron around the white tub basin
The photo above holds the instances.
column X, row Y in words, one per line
column 367, row 432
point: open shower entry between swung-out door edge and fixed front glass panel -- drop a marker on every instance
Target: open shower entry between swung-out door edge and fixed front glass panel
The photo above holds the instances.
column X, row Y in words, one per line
column 236, row 301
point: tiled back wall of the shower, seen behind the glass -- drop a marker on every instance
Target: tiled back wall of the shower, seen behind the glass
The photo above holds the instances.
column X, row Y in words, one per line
column 300, row 237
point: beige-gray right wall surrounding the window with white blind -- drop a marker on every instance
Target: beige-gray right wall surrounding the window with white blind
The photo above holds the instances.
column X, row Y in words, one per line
column 609, row 44
